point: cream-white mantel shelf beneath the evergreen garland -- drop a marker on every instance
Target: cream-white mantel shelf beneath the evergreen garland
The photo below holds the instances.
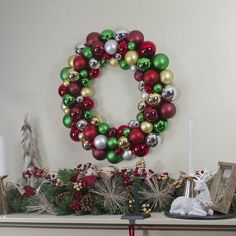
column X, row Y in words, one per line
column 158, row 221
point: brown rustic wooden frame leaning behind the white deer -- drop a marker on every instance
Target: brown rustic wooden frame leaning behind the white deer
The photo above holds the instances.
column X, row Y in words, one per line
column 223, row 187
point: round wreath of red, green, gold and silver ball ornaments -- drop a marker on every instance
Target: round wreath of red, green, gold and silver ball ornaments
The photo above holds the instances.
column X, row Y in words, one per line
column 128, row 50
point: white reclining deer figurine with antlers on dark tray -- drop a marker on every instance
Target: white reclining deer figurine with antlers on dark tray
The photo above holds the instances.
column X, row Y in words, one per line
column 198, row 206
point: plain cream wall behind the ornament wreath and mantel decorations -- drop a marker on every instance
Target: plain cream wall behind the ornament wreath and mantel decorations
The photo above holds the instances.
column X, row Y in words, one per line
column 198, row 36
